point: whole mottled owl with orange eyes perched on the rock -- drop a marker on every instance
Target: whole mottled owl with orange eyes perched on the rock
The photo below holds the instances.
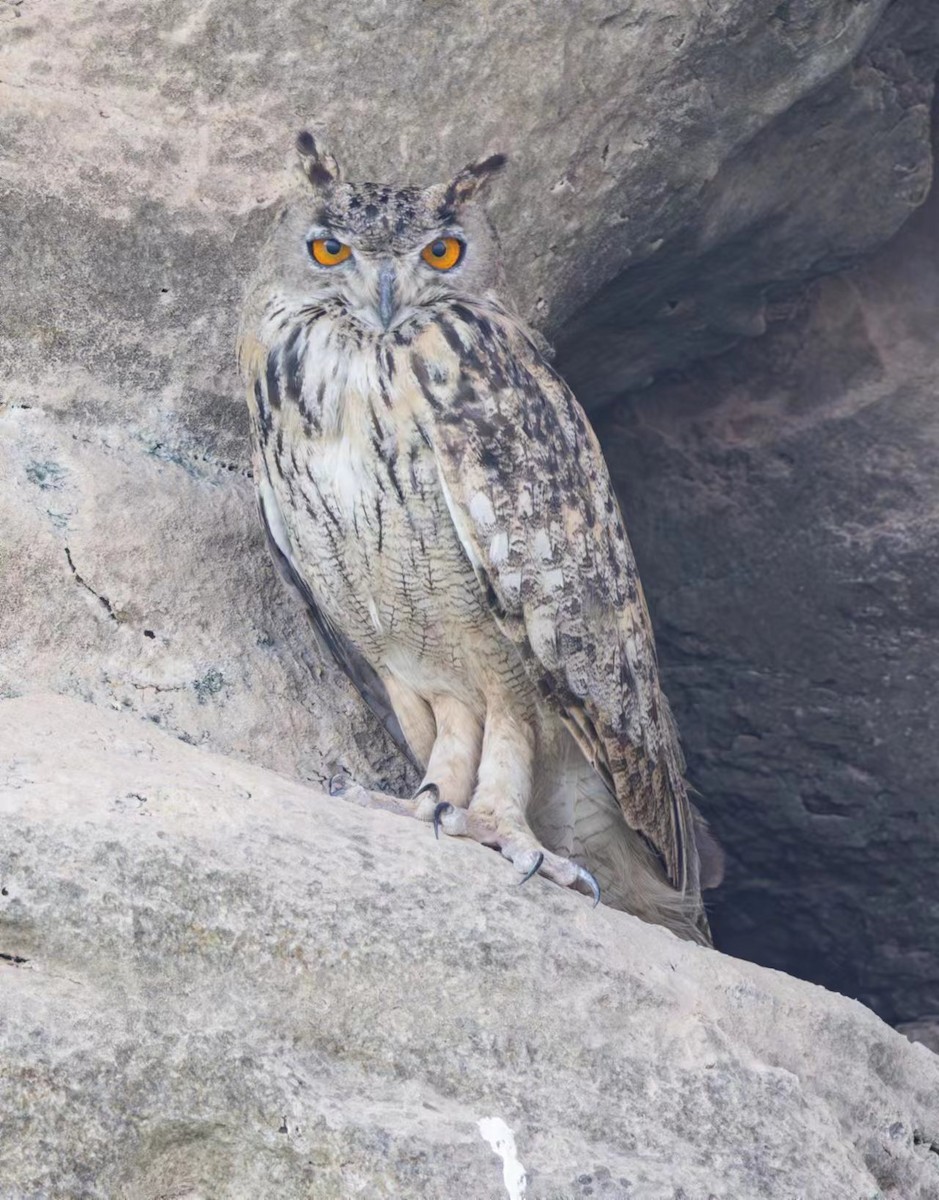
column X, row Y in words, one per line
column 436, row 495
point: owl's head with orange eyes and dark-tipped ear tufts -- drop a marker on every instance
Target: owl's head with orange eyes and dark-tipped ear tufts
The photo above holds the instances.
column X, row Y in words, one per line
column 385, row 255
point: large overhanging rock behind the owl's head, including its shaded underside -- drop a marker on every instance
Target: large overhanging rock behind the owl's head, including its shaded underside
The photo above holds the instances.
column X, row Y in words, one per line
column 145, row 141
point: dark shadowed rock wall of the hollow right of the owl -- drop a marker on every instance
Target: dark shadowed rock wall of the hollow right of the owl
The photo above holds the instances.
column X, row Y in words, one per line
column 785, row 508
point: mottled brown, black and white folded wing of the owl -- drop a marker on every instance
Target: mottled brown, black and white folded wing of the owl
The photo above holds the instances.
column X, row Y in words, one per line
column 535, row 511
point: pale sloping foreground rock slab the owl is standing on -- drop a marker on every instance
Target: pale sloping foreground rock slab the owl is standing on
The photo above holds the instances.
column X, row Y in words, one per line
column 217, row 983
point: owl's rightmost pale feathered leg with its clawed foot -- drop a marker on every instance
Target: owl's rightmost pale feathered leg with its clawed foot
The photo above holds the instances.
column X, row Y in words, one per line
column 498, row 812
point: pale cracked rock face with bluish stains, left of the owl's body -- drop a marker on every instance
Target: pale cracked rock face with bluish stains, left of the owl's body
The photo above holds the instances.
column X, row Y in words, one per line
column 136, row 578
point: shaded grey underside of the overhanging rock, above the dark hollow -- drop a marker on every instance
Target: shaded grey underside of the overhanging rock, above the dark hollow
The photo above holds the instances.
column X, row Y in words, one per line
column 811, row 193
